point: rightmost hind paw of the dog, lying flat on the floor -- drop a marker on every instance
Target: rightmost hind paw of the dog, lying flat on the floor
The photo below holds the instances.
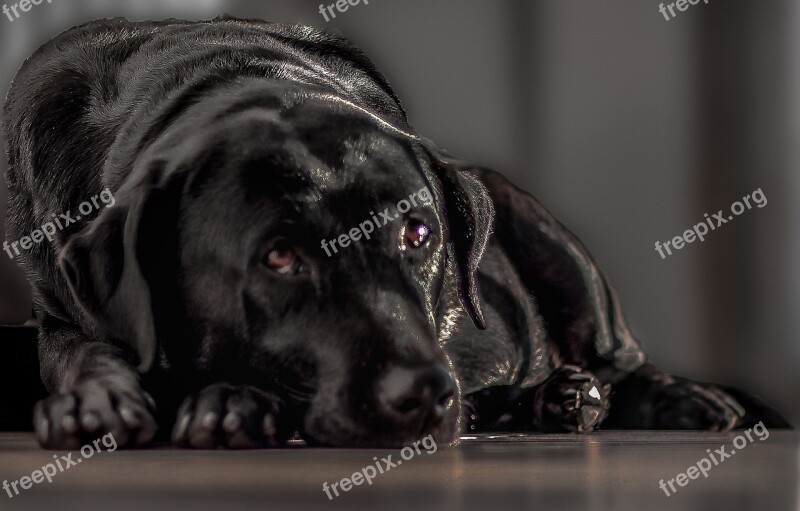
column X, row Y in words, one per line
column 688, row 405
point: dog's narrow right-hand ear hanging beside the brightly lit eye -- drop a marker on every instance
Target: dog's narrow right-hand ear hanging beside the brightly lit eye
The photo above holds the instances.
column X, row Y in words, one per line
column 468, row 211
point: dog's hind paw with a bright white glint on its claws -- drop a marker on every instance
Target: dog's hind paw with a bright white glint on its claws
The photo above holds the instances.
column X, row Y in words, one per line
column 571, row 400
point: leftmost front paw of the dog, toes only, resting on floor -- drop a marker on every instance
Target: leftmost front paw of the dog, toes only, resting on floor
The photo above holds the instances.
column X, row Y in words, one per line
column 93, row 409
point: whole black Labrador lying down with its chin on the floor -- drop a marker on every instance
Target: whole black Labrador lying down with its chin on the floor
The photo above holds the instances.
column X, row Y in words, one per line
column 241, row 156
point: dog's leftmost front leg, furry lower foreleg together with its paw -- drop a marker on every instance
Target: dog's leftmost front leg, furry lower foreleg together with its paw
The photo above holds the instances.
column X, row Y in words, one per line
column 94, row 392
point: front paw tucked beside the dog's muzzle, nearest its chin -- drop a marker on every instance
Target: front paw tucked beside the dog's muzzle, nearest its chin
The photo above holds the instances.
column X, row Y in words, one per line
column 233, row 417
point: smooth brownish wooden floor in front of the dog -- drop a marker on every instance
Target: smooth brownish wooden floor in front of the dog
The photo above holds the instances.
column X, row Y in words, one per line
column 605, row 471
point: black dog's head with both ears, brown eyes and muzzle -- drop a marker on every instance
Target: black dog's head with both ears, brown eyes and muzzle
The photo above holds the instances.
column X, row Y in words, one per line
column 297, row 242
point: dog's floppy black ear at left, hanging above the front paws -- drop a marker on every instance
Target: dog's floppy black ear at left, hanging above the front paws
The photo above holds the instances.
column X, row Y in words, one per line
column 106, row 265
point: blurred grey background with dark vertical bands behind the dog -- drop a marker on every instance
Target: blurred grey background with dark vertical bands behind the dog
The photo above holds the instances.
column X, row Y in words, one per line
column 627, row 126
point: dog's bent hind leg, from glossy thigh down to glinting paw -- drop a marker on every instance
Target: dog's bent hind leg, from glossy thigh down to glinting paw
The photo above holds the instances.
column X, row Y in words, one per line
column 583, row 327
